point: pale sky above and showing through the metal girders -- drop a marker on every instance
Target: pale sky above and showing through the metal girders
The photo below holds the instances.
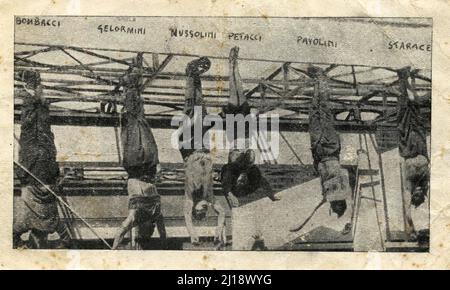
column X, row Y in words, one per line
column 354, row 37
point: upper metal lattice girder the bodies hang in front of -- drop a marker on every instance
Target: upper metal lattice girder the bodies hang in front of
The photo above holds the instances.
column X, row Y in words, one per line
column 287, row 87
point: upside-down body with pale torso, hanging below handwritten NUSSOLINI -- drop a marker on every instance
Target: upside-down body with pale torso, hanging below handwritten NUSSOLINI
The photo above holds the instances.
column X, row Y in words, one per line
column 199, row 194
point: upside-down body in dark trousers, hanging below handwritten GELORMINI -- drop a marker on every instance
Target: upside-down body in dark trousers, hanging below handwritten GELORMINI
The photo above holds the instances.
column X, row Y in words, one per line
column 140, row 160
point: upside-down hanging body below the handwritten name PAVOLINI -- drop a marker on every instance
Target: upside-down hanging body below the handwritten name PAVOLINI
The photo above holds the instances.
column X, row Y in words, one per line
column 326, row 146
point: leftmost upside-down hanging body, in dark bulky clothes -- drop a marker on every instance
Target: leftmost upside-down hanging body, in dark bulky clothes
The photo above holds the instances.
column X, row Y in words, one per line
column 37, row 153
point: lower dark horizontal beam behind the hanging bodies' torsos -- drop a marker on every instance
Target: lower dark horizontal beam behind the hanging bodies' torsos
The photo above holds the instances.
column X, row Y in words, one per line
column 111, row 181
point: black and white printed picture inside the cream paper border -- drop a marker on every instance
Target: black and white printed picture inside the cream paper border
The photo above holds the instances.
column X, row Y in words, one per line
column 222, row 133
